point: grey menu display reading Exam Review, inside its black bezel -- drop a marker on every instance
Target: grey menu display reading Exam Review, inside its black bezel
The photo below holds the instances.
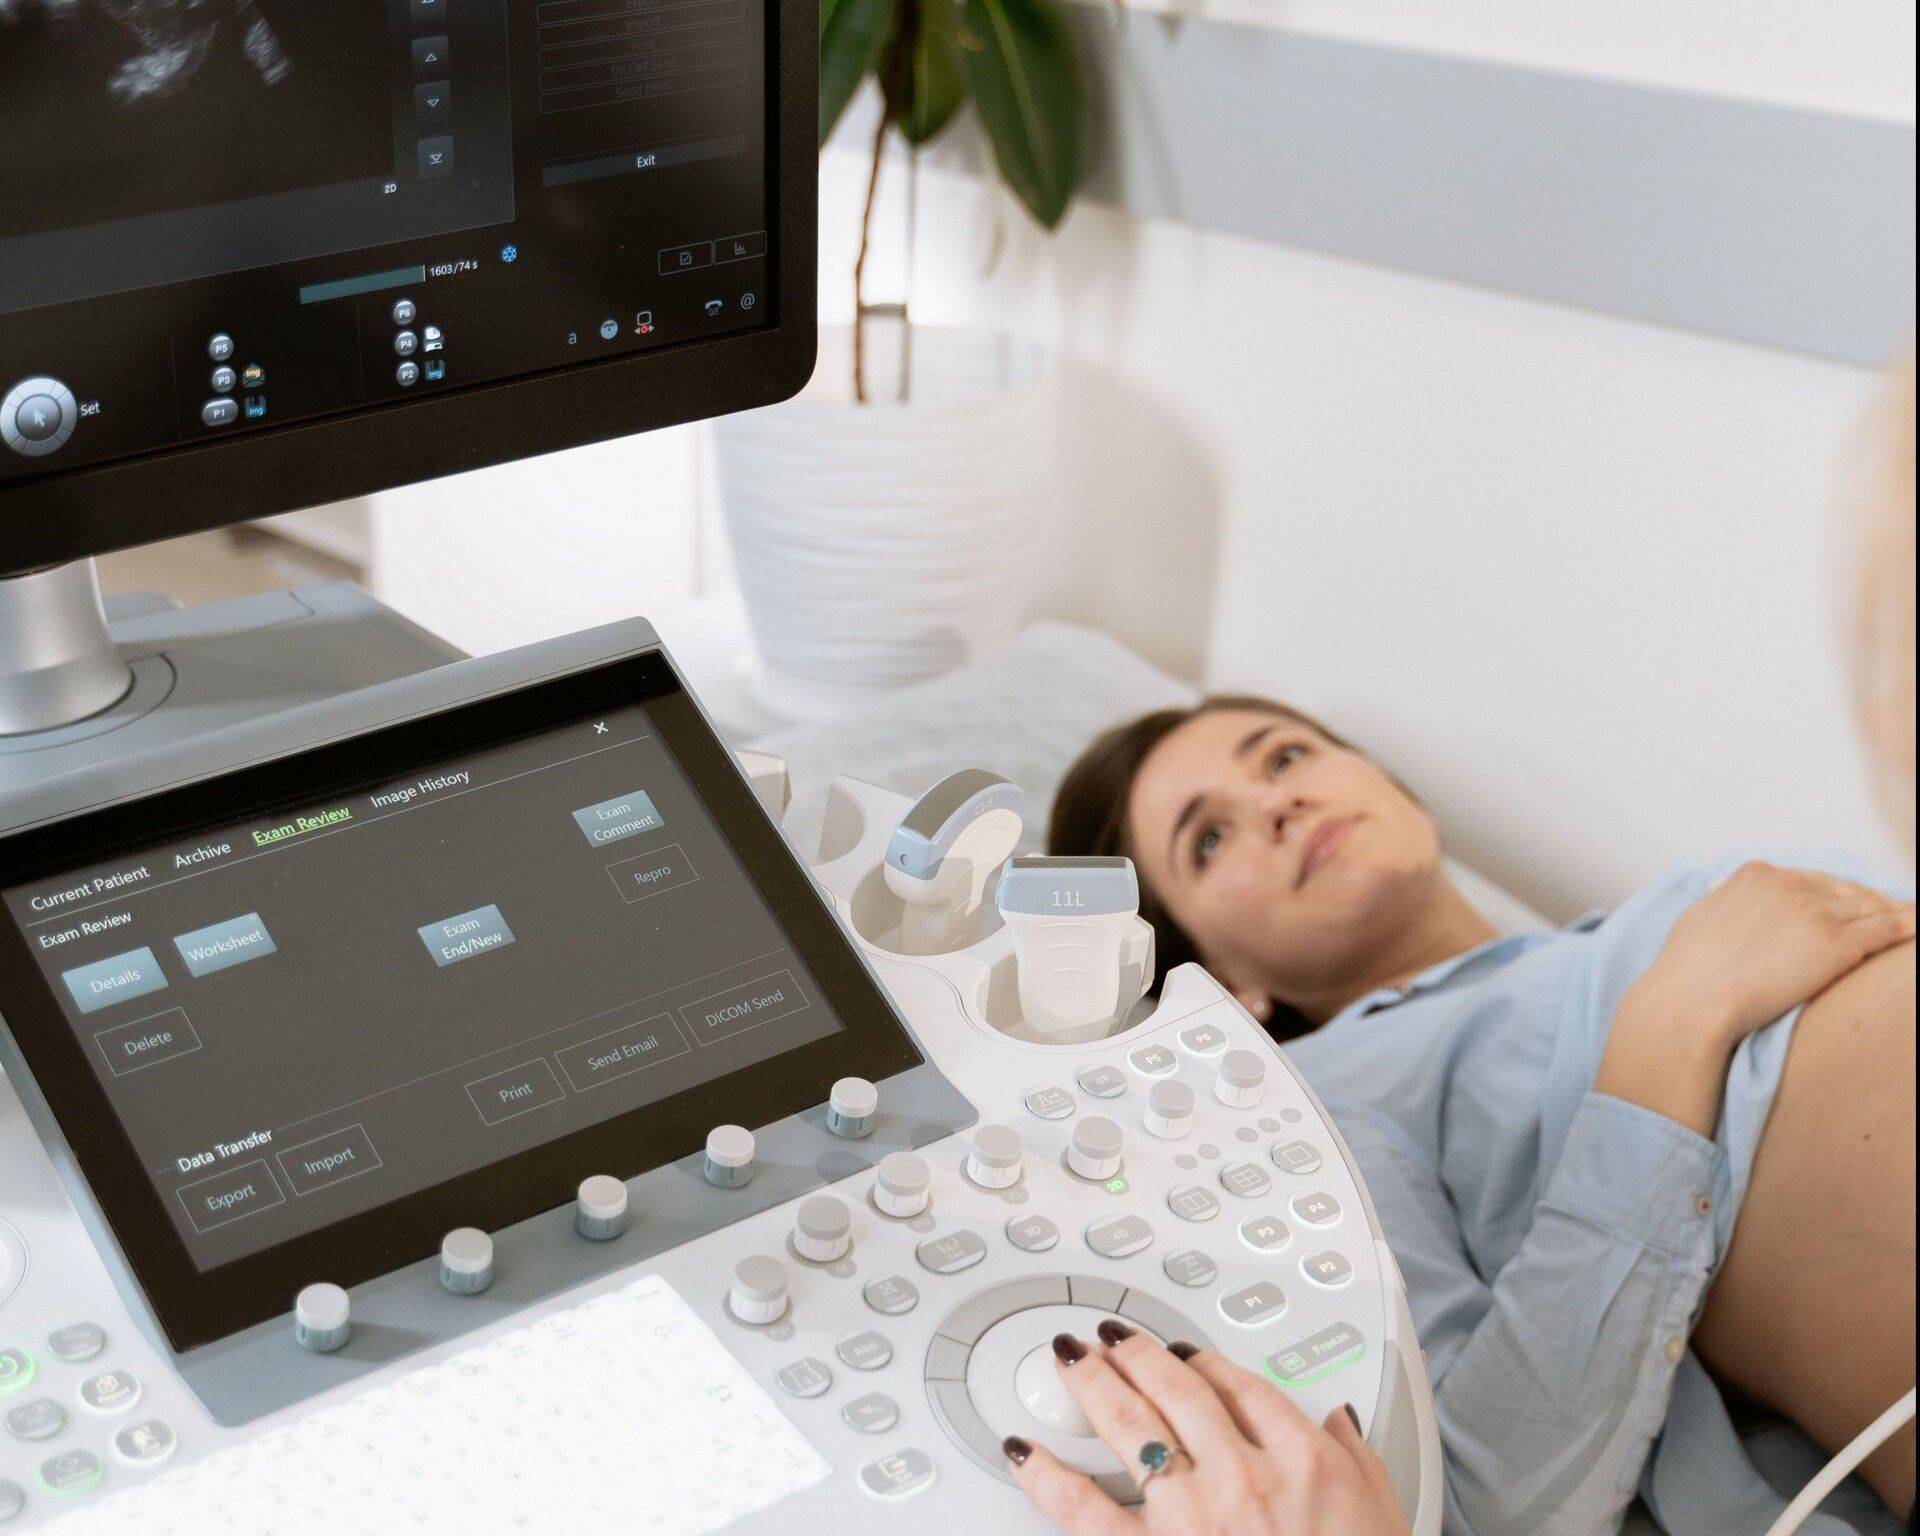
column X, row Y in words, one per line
column 316, row 1013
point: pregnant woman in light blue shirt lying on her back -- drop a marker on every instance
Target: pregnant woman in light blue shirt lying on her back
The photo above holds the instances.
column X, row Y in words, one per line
column 1633, row 1172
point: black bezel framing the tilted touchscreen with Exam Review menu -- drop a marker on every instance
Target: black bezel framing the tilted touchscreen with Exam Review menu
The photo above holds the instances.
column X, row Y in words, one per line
column 199, row 1307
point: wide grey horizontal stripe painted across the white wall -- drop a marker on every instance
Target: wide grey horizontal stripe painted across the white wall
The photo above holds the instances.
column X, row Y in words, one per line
column 1771, row 226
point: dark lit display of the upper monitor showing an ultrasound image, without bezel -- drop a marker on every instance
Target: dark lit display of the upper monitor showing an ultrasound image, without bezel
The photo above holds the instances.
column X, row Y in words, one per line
column 226, row 218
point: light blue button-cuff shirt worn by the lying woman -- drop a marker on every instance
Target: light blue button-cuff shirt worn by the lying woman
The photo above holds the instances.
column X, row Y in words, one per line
column 1558, row 1245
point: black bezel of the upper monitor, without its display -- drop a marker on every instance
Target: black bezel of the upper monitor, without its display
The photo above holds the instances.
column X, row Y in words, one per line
column 95, row 510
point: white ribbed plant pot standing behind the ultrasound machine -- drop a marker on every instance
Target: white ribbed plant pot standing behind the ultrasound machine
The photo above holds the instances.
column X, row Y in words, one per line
column 888, row 542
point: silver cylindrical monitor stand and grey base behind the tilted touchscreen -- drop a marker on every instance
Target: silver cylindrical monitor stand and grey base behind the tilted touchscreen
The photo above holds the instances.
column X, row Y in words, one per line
column 87, row 681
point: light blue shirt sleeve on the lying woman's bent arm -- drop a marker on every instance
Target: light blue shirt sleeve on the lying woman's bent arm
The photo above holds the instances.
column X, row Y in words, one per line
column 1552, row 1383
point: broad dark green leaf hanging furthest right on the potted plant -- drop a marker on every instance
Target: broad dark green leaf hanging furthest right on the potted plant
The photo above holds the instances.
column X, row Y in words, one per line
column 1026, row 84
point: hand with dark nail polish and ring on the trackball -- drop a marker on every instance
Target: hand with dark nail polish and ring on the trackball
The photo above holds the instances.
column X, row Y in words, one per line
column 1234, row 1452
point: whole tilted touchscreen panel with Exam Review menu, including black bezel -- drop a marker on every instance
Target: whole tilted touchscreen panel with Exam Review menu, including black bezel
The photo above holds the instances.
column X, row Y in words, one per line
column 456, row 971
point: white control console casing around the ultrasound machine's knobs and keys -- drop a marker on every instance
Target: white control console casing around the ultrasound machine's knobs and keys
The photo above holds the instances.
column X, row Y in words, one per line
column 990, row 1287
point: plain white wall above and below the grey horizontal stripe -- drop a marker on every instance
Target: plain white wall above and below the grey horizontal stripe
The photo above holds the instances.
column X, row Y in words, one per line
column 1566, row 573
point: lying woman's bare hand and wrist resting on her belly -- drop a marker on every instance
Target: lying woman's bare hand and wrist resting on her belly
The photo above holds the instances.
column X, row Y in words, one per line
column 1744, row 955
